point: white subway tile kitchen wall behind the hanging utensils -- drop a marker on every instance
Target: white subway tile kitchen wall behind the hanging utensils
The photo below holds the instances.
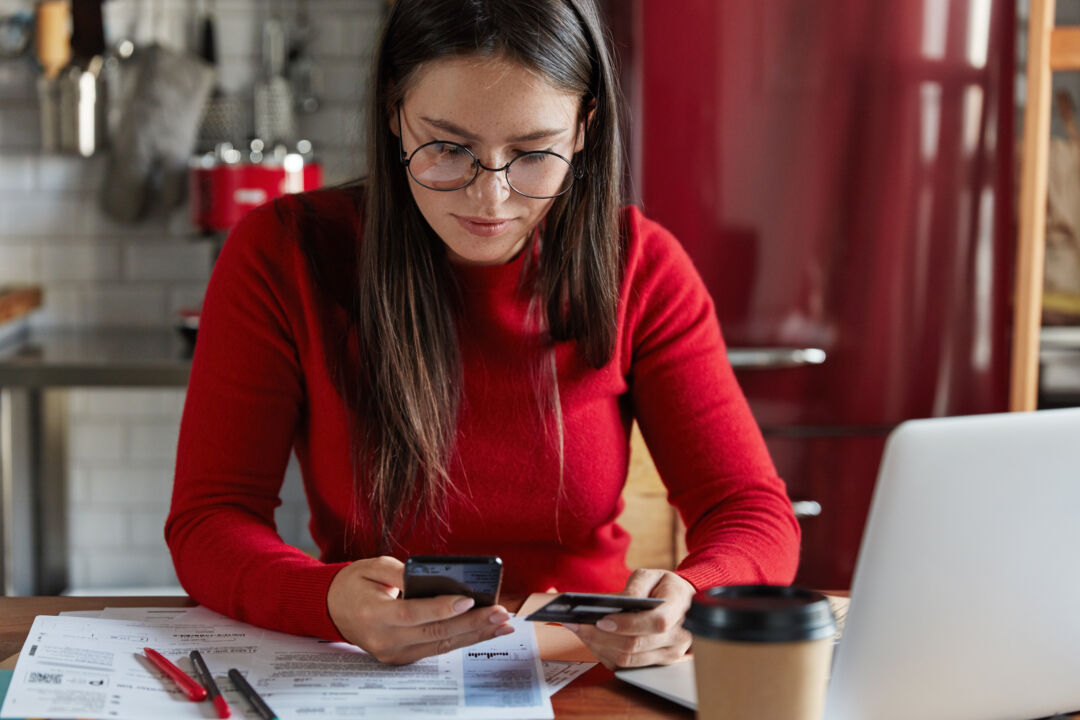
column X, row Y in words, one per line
column 97, row 271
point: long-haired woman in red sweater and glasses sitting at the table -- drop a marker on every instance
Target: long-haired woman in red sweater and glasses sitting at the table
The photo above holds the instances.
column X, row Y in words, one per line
column 456, row 348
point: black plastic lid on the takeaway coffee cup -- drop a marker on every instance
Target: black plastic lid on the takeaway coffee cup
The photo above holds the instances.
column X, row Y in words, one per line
column 761, row 614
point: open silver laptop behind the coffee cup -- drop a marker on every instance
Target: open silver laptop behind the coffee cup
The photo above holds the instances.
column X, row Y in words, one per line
column 966, row 601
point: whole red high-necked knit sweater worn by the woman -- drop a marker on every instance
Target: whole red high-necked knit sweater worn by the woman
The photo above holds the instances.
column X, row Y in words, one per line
column 260, row 388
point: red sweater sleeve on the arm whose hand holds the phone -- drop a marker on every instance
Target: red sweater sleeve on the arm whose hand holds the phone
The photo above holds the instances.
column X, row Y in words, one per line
column 244, row 404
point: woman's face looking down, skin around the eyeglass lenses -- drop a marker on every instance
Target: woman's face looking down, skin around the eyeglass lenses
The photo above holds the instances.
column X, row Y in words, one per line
column 498, row 111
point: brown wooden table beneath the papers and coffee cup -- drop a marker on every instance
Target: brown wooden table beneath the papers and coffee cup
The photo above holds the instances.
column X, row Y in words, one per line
column 597, row 695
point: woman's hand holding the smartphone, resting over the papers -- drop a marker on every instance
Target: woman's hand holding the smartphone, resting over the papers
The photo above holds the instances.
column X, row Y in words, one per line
column 364, row 606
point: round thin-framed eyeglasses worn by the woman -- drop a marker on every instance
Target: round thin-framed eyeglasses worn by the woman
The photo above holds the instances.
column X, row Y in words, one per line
column 445, row 167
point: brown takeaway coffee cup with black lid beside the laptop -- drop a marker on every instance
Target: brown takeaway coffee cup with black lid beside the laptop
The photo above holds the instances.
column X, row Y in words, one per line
column 761, row 653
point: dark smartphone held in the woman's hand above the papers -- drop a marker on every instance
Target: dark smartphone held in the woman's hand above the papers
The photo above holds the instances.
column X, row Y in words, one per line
column 478, row 577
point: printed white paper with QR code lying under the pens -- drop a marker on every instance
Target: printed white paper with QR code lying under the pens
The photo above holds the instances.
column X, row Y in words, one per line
column 93, row 668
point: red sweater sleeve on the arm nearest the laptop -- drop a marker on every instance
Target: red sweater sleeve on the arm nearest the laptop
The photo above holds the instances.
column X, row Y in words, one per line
column 698, row 426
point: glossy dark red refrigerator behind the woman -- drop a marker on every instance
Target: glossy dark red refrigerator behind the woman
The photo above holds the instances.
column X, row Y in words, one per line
column 842, row 173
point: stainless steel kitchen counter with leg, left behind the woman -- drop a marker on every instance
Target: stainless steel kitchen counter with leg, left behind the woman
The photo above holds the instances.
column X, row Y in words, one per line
column 36, row 371
